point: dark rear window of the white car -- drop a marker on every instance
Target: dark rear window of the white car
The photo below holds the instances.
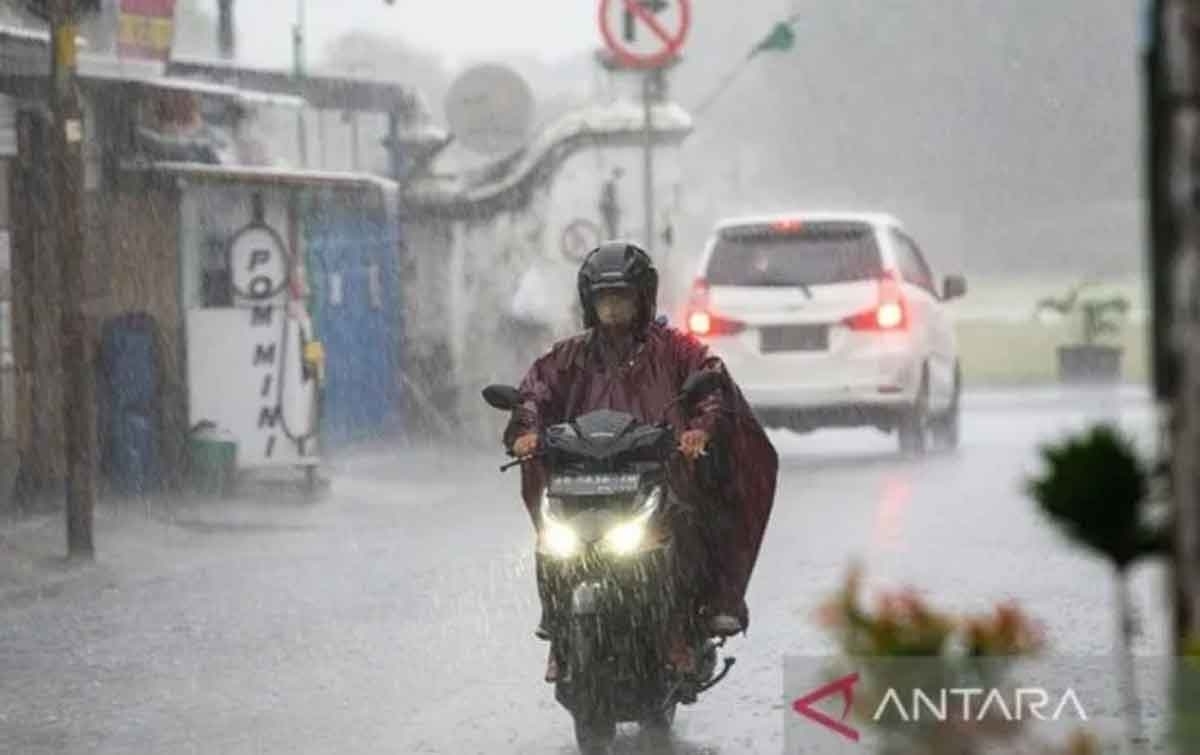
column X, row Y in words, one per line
column 805, row 255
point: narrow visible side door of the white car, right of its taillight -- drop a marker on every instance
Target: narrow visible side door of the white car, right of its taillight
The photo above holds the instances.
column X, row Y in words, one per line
column 921, row 289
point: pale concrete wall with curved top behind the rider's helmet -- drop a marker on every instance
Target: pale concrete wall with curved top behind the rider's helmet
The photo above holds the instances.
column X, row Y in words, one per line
column 511, row 289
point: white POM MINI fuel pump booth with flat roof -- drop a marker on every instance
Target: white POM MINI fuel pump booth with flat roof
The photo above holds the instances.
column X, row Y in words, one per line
column 253, row 349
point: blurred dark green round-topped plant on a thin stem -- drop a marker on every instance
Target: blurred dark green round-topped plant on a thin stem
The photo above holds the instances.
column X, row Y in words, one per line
column 1096, row 489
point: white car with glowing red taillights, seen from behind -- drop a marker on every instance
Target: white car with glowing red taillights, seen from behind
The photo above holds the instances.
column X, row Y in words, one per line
column 833, row 321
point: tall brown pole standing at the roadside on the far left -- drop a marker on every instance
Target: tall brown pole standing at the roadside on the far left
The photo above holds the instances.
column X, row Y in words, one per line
column 79, row 392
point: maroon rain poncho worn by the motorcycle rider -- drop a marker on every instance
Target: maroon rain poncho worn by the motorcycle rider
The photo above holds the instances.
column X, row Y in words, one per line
column 572, row 380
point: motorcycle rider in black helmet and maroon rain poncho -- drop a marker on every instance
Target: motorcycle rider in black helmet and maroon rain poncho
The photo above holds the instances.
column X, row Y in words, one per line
column 629, row 362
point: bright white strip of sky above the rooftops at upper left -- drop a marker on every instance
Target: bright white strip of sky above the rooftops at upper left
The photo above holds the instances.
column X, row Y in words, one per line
column 464, row 32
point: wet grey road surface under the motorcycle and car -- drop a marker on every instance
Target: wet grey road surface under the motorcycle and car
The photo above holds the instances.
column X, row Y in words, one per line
column 397, row 616
